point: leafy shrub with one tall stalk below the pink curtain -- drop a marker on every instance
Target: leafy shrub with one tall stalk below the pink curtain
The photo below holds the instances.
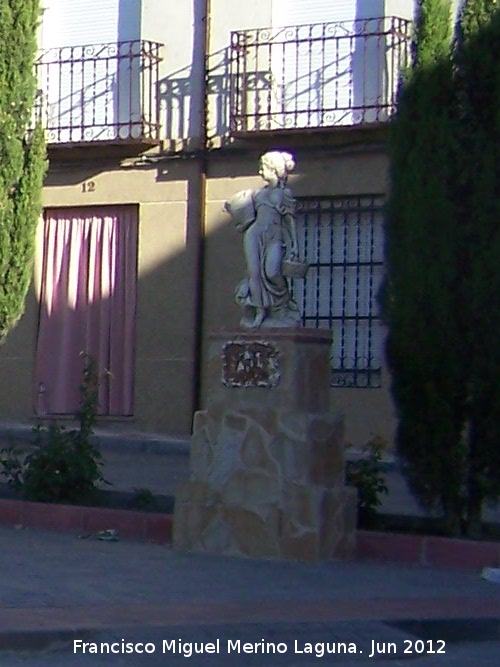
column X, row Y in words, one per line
column 63, row 465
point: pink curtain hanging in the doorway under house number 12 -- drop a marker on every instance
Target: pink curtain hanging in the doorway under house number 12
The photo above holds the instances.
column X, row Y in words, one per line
column 87, row 304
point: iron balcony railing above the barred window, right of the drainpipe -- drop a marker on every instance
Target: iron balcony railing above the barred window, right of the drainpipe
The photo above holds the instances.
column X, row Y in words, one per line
column 315, row 76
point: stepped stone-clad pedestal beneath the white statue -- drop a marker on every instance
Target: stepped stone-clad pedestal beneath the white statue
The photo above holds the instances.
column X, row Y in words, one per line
column 267, row 464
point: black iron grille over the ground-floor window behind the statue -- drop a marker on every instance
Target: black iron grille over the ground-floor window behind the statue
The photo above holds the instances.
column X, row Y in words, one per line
column 341, row 239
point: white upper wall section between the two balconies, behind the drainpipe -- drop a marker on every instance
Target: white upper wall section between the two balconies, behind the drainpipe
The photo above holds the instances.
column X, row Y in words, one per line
column 179, row 24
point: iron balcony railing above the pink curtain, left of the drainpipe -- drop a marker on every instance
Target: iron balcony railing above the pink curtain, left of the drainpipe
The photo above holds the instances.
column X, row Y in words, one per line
column 99, row 93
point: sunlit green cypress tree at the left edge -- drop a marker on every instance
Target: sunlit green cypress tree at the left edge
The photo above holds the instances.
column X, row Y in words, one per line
column 23, row 161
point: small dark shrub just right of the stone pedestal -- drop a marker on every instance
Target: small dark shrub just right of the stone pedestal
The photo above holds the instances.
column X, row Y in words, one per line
column 368, row 477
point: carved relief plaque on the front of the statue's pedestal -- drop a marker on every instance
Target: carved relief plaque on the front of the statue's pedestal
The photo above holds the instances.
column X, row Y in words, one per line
column 251, row 364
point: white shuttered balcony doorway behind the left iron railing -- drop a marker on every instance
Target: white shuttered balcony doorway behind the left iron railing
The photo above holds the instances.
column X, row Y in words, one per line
column 91, row 85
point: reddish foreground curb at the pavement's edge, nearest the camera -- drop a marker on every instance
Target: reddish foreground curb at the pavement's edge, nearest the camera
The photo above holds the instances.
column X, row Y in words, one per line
column 39, row 629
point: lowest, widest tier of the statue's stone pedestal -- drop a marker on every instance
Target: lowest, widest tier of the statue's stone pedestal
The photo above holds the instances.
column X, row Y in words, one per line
column 305, row 524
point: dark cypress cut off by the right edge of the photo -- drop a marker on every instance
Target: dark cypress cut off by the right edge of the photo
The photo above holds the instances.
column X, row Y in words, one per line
column 477, row 201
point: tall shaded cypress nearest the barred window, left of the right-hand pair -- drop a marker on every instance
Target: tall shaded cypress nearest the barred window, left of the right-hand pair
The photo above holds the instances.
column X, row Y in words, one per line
column 419, row 298
